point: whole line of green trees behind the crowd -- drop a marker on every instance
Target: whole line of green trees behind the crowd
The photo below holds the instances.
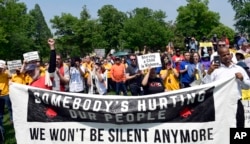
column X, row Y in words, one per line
column 22, row 32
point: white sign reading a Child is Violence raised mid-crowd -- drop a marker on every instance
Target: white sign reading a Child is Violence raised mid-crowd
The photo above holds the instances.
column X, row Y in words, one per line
column 152, row 60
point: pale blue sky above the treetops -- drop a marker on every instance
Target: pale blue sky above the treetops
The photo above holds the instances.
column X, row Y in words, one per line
column 51, row 8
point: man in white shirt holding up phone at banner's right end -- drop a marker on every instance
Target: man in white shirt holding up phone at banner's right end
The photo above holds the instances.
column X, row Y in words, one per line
column 228, row 69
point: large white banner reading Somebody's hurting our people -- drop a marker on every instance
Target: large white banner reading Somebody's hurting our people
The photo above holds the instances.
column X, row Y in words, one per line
column 196, row 115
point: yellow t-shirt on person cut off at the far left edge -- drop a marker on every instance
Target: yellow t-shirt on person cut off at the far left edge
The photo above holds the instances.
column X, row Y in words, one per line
column 4, row 83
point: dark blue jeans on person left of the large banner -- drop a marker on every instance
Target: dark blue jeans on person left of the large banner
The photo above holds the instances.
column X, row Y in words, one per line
column 5, row 100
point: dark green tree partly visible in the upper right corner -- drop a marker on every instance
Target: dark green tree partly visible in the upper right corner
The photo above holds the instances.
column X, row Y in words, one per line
column 242, row 14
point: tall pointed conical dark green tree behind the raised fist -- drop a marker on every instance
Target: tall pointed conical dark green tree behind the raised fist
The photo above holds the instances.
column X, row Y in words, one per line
column 39, row 31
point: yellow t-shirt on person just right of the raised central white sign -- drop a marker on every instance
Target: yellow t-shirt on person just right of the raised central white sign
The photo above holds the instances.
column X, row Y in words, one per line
column 170, row 82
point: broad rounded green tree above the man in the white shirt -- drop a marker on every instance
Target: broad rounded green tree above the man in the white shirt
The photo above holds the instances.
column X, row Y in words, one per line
column 195, row 19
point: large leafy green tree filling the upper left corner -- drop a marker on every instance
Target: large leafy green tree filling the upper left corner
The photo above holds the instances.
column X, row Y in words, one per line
column 14, row 28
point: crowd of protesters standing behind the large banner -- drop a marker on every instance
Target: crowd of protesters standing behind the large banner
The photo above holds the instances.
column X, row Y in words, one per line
column 101, row 75
